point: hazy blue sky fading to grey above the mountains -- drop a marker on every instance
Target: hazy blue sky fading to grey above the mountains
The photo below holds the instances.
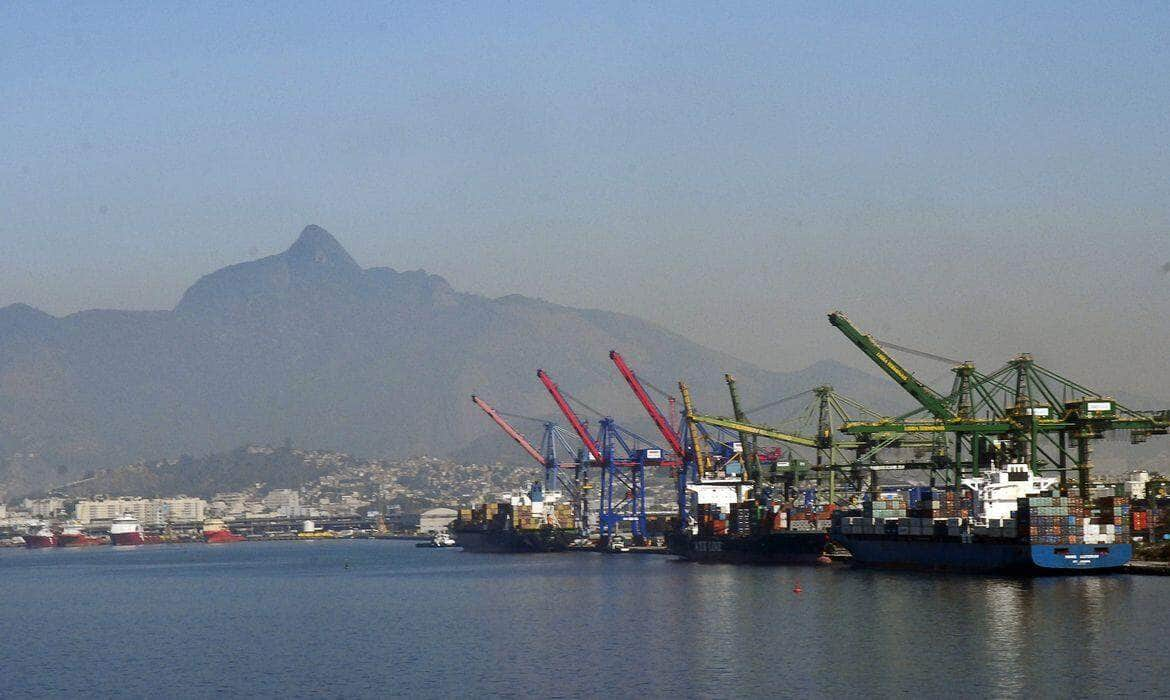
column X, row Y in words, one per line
column 972, row 180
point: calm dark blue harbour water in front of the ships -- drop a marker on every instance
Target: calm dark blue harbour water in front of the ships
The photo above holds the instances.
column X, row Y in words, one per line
column 376, row 619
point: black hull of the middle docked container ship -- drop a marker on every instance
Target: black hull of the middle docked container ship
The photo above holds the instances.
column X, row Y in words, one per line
column 770, row 548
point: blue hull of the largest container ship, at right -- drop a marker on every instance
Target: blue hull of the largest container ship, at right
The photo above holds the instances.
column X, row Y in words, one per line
column 1006, row 557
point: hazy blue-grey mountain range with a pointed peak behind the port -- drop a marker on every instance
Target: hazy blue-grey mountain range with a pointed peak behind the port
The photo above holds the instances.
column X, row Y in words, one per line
column 309, row 346
